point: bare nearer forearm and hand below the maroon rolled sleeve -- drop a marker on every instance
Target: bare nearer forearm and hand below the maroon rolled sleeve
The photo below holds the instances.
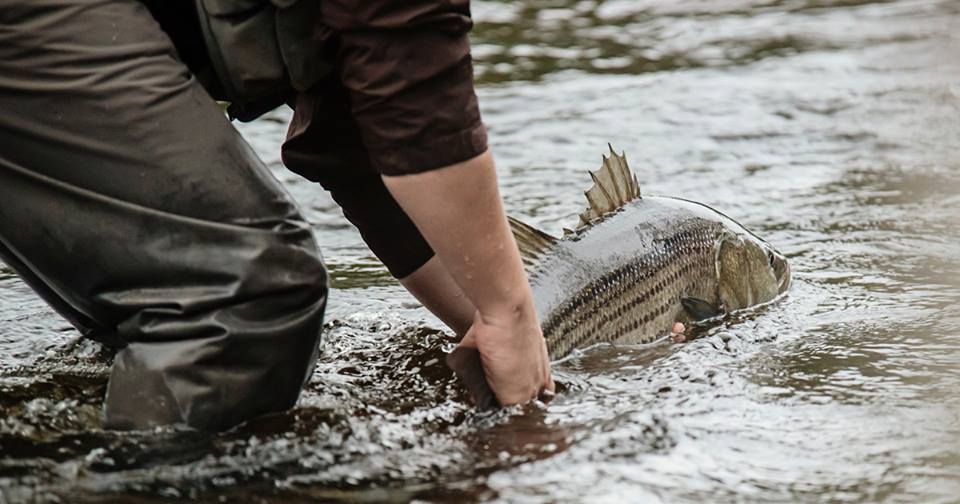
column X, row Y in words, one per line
column 458, row 210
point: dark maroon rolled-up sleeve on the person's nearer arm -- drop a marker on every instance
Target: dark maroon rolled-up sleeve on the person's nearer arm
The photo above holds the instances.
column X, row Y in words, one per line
column 406, row 66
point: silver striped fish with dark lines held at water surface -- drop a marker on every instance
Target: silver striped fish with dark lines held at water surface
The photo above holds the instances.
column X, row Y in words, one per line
column 635, row 265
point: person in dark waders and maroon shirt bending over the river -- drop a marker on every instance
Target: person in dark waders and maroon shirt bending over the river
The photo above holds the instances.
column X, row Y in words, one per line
column 129, row 203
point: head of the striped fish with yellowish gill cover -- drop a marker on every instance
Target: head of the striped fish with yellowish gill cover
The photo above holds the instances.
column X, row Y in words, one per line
column 749, row 270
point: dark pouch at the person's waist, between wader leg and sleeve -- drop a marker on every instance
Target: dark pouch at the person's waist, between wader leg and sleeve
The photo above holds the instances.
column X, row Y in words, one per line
column 261, row 51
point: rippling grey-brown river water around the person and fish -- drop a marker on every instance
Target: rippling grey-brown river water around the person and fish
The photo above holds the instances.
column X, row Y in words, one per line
column 829, row 127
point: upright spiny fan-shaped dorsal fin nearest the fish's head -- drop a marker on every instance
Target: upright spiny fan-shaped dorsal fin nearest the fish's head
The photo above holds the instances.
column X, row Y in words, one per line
column 613, row 187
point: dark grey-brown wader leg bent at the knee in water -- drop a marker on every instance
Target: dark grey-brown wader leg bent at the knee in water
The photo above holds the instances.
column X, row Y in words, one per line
column 130, row 203
